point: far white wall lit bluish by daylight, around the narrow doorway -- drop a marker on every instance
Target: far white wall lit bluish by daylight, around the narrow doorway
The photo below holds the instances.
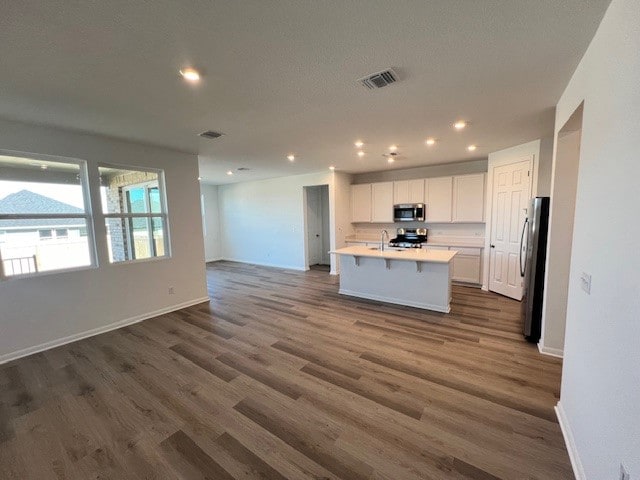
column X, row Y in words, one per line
column 262, row 222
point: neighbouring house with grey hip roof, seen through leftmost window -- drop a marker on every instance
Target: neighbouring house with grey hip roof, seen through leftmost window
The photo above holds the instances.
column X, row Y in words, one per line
column 41, row 244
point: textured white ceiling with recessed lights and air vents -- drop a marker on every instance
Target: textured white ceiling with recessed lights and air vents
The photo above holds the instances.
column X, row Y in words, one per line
column 280, row 76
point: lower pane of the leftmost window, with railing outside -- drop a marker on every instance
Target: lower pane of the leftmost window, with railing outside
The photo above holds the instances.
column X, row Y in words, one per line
column 29, row 249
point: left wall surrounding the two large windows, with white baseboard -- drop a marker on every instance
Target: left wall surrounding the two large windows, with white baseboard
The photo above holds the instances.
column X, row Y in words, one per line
column 41, row 311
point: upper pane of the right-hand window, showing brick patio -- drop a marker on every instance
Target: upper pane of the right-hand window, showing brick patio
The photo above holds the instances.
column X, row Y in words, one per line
column 124, row 190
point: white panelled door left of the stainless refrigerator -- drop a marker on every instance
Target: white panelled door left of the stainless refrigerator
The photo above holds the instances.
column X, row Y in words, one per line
column 511, row 194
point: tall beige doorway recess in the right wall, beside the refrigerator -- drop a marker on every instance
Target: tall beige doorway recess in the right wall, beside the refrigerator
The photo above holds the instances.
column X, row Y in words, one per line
column 562, row 212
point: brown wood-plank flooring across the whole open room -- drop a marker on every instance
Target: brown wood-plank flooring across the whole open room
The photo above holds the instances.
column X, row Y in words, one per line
column 279, row 377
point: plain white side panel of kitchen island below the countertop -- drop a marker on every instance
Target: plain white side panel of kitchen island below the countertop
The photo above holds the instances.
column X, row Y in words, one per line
column 401, row 283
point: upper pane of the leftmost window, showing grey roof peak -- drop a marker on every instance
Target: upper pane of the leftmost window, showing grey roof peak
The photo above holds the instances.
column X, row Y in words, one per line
column 30, row 186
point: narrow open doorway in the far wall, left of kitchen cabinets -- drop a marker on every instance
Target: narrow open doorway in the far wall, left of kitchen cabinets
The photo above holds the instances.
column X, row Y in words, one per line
column 317, row 225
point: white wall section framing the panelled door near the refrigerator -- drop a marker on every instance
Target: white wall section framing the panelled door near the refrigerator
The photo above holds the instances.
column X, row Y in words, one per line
column 526, row 151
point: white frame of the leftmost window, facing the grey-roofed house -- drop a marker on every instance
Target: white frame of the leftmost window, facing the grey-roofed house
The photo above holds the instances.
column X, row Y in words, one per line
column 87, row 215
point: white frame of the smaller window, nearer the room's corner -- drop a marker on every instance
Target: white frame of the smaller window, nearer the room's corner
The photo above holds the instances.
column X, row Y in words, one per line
column 163, row 214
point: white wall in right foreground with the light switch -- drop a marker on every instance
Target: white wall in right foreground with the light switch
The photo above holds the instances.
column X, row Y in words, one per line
column 600, row 397
